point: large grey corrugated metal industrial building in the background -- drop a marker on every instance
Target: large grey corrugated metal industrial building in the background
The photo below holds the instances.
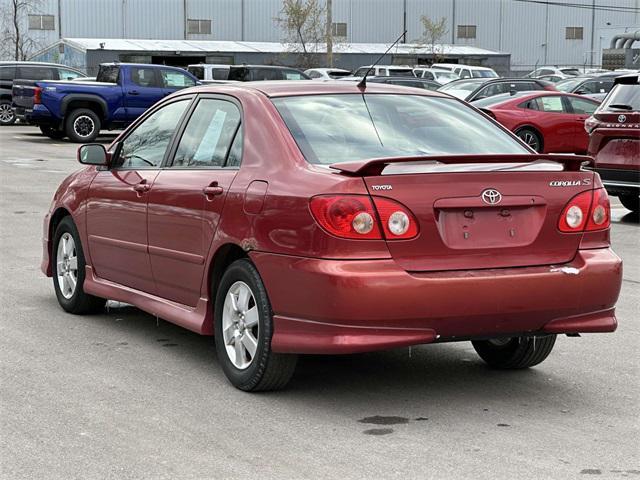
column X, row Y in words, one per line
column 561, row 32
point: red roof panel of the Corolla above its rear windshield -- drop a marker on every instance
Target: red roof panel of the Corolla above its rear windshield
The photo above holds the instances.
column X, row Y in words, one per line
column 286, row 88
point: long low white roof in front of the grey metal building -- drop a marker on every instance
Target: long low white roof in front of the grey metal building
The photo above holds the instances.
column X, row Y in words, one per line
column 209, row 46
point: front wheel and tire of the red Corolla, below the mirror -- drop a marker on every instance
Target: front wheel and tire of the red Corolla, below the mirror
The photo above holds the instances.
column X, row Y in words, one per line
column 68, row 262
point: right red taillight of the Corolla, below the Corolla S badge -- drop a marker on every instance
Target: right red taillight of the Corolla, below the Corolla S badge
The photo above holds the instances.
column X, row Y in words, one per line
column 587, row 211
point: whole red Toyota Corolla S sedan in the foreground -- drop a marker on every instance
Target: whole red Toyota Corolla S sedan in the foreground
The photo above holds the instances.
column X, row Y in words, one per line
column 327, row 218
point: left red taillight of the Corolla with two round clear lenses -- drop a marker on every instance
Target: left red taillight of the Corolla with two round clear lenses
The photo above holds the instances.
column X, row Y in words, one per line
column 354, row 216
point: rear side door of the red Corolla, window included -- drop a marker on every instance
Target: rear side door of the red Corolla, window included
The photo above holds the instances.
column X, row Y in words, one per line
column 187, row 197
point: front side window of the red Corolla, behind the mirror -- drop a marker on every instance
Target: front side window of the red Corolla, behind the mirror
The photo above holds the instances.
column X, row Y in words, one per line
column 146, row 145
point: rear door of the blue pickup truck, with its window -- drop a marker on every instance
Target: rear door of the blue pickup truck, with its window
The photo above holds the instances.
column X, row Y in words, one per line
column 142, row 89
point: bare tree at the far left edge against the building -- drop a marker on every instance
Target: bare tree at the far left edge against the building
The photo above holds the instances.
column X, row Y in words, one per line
column 16, row 42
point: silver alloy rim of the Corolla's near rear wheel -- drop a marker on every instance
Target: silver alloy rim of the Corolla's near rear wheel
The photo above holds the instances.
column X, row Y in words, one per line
column 240, row 326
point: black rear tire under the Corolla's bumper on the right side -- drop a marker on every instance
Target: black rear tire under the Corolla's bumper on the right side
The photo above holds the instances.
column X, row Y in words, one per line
column 516, row 352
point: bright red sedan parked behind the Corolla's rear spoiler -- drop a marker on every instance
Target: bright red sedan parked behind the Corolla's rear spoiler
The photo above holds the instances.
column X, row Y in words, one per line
column 549, row 122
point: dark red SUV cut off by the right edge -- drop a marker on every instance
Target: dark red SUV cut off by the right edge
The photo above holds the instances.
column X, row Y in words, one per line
column 615, row 141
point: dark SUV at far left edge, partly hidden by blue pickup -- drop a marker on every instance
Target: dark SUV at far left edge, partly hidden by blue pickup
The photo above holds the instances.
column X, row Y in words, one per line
column 9, row 71
